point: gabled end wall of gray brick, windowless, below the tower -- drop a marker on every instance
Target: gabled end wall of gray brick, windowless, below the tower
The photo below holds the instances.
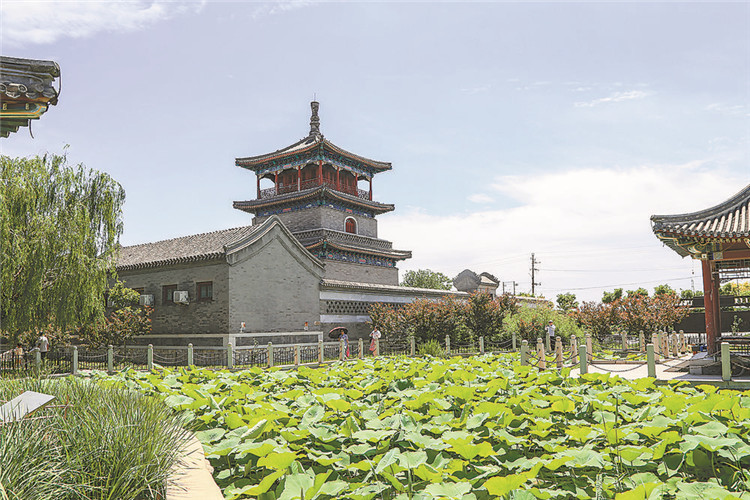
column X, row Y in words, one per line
column 275, row 286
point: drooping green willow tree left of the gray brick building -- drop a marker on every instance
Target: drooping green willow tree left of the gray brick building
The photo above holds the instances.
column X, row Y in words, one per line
column 59, row 229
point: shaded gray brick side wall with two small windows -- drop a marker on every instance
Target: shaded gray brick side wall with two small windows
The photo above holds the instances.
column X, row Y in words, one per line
column 196, row 317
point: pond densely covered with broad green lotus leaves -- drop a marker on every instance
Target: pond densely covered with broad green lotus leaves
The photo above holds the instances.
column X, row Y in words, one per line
column 460, row 428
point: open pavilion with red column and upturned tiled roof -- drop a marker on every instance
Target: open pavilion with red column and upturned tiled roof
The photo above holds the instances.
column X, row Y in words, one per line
column 720, row 238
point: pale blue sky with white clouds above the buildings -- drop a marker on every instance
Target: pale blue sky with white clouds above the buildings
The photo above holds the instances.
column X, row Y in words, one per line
column 555, row 129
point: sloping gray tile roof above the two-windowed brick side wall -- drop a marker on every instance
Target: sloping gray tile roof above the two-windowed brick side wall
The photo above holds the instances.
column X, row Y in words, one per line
column 178, row 250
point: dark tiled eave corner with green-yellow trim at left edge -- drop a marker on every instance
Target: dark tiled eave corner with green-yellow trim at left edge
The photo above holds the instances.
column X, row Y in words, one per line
column 26, row 91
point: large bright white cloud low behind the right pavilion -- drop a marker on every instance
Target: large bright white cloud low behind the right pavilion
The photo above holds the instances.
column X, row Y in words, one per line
column 590, row 228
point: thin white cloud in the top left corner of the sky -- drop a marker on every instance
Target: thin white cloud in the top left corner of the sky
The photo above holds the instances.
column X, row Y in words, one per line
column 25, row 22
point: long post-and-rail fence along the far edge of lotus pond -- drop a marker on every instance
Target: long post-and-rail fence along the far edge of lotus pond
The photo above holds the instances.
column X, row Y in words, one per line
column 73, row 359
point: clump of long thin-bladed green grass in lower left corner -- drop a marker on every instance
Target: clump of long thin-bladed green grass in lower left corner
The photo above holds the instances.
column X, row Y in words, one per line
column 109, row 443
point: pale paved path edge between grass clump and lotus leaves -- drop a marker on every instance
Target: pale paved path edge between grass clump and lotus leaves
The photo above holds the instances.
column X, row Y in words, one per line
column 191, row 478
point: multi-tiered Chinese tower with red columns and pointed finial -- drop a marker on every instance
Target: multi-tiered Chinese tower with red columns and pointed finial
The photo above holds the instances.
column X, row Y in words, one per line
column 316, row 195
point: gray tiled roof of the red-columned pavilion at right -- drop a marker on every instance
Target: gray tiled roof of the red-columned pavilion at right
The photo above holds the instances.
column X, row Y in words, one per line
column 726, row 220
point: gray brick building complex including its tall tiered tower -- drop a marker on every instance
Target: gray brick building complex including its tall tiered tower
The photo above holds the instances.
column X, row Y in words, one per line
column 311, row 256
